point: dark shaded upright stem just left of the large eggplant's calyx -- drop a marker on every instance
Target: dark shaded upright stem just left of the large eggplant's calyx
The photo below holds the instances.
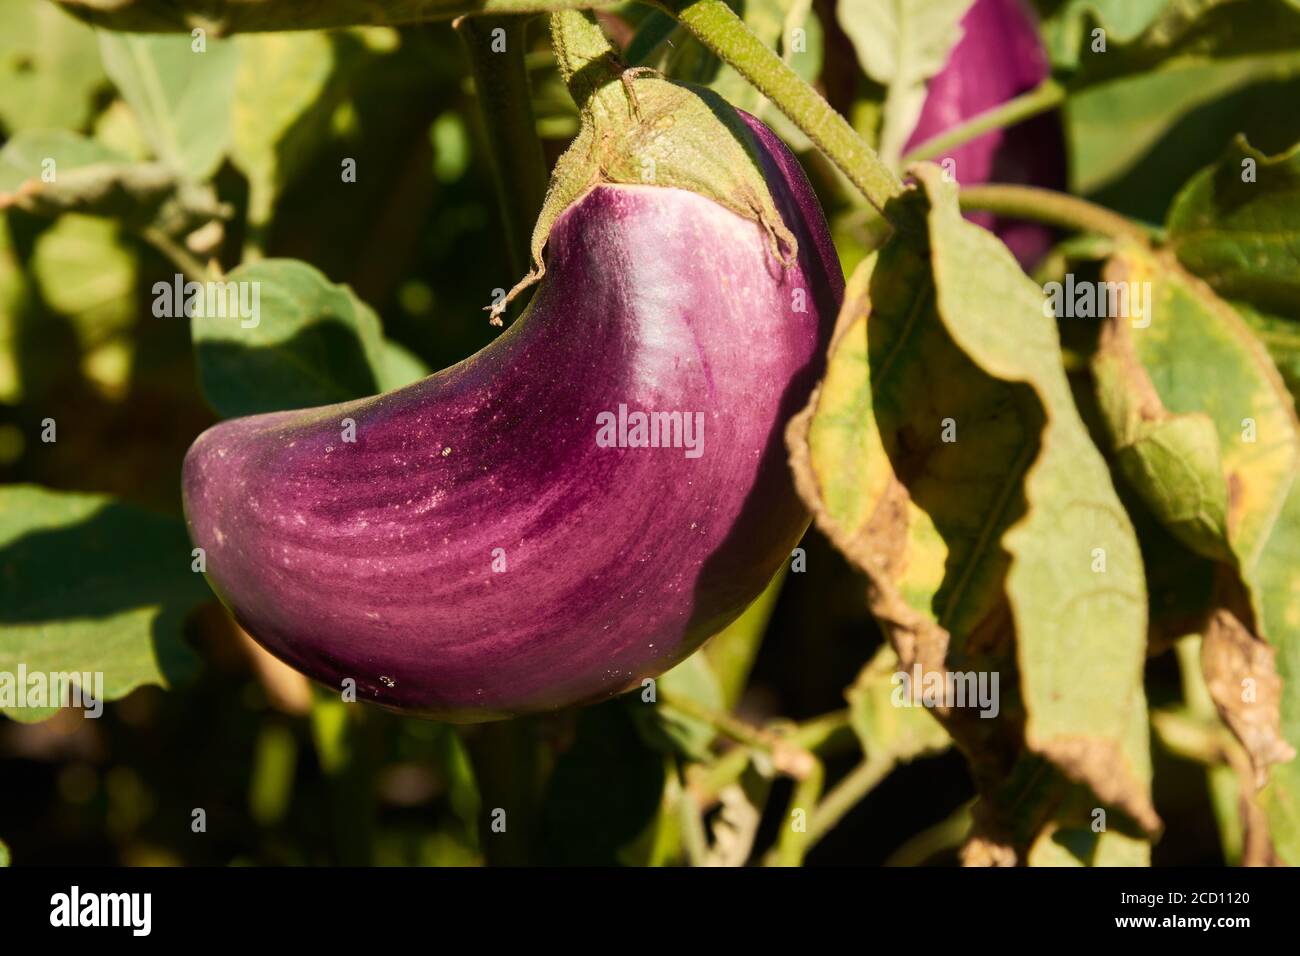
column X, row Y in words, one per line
column 506, row 106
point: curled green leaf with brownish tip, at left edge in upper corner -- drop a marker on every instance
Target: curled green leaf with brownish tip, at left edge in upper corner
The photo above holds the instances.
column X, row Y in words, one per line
column 55, row 172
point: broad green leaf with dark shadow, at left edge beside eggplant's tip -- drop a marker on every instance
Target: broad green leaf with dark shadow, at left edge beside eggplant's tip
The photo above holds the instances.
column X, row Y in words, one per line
column 89, row 585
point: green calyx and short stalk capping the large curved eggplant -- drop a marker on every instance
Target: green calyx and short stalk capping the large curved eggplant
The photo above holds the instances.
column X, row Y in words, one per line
column 639, row 128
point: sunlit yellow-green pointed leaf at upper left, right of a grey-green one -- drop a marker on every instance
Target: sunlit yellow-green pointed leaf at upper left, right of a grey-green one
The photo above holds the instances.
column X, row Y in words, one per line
column 278, row 114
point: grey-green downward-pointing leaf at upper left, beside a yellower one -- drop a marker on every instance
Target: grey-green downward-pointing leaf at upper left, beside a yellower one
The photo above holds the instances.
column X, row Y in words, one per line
column 181, row 94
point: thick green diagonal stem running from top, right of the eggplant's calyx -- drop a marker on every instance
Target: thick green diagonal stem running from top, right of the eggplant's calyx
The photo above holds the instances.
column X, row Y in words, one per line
column 716, row 25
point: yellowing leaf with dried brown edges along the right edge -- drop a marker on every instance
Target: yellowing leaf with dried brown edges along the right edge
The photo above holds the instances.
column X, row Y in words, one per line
column 1197, row 358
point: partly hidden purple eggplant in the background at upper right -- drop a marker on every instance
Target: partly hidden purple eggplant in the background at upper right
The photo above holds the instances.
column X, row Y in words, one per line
column 999, row 58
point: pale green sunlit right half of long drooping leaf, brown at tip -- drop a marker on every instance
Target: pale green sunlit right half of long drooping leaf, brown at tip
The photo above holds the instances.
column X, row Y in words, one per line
column 1076, row 581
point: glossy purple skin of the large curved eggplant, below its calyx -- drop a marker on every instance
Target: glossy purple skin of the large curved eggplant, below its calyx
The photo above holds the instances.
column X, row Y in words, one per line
column 374, row 560
